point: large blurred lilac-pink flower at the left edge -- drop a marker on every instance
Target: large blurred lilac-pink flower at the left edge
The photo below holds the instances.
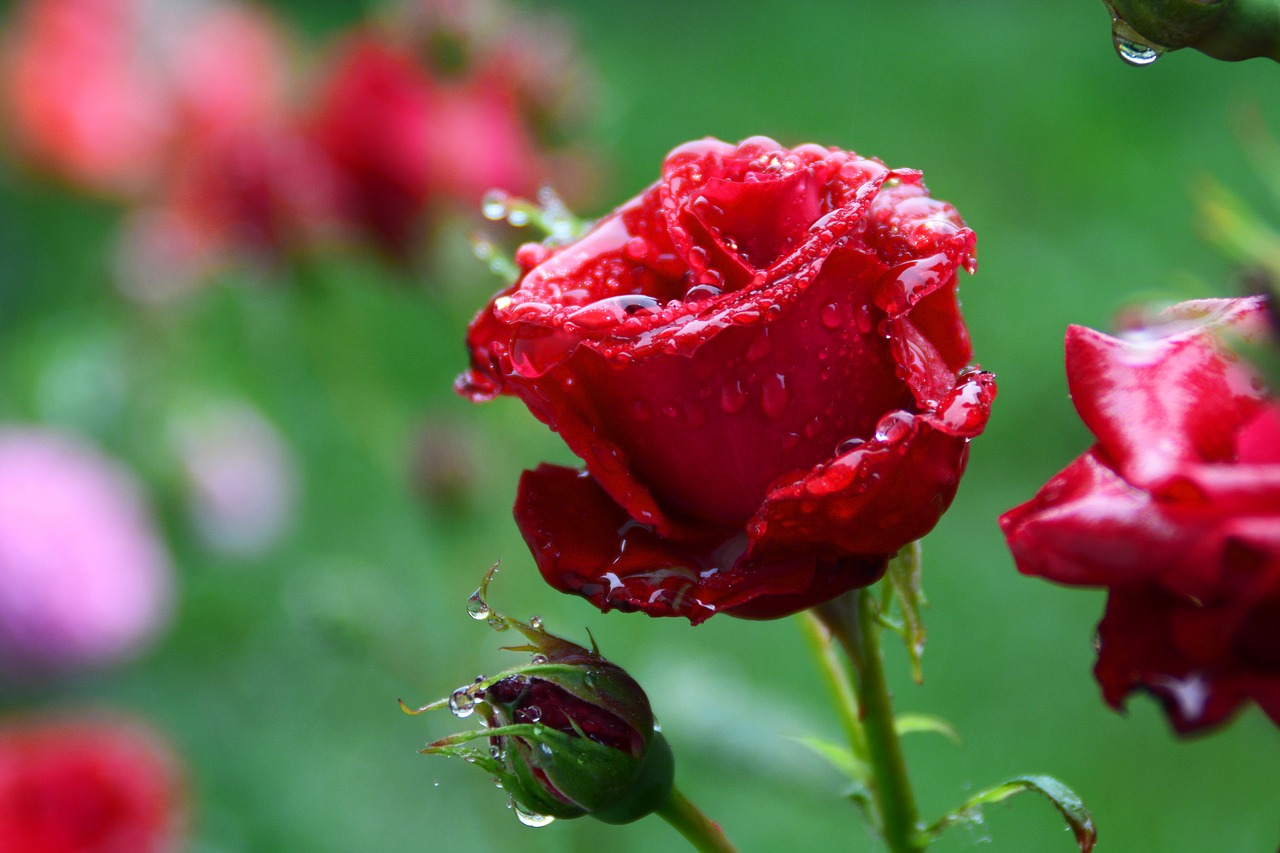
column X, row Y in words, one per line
column 85, row 580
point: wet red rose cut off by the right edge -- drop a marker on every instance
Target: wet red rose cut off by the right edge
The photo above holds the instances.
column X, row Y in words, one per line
column 1176, row 512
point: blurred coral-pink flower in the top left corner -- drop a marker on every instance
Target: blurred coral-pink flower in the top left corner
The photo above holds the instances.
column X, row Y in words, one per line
column 103, row 92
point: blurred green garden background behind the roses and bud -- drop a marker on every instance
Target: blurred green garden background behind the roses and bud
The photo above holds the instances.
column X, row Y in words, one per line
column 280, row 679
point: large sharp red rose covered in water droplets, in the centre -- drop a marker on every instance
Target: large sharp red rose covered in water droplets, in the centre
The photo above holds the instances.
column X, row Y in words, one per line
column 761, row 362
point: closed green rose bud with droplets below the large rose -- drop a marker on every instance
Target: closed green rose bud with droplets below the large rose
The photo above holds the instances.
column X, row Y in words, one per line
column 570, row 735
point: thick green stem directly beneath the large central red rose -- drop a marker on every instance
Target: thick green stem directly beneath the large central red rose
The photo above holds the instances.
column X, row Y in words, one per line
column 852, row 619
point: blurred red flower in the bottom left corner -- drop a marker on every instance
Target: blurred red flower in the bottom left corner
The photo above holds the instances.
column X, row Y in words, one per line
column 88, row 788
